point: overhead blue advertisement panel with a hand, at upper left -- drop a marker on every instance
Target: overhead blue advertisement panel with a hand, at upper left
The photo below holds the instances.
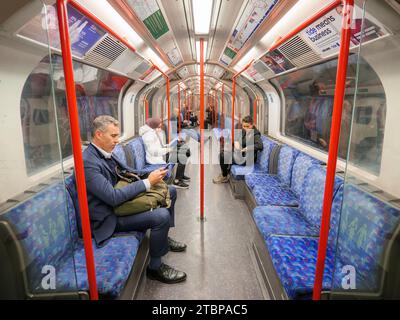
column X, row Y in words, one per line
column 84, row 33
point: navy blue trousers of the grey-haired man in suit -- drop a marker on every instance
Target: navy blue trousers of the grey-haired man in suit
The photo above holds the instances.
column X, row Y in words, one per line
column 158, row 220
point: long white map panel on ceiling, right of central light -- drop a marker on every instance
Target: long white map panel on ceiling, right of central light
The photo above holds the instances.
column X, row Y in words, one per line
column 255, row 13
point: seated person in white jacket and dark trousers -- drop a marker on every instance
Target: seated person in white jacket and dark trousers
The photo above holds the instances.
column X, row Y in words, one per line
column 159, row 153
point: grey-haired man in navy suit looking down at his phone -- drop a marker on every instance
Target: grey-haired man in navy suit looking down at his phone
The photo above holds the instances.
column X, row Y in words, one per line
column 101, row 178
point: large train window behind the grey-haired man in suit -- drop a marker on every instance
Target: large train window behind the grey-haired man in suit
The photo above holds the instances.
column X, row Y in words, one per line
column 97, row 93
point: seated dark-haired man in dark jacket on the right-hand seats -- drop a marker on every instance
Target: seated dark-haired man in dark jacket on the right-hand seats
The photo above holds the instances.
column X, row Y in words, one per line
column 245, row 150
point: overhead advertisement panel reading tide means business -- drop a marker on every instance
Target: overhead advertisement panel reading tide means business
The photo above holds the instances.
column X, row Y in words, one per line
column 324, row 34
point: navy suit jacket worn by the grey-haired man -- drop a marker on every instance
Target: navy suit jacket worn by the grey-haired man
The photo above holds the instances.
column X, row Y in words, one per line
column 102, row 197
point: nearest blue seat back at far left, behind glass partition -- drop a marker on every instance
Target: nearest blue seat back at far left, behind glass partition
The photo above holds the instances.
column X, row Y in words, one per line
column 42, row 226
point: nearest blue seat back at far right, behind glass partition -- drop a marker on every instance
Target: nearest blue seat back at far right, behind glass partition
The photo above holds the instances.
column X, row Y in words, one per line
column 367, row 224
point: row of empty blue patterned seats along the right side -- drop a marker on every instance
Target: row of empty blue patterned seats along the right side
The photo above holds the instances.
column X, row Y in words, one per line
column 288, row 216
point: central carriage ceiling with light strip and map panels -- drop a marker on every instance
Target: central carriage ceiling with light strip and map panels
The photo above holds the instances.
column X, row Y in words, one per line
column 230, row 28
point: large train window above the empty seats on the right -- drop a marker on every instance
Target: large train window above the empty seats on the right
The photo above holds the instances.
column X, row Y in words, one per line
column 309, row 95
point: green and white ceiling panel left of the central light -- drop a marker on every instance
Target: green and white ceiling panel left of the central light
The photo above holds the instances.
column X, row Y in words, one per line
column 150, row 13
